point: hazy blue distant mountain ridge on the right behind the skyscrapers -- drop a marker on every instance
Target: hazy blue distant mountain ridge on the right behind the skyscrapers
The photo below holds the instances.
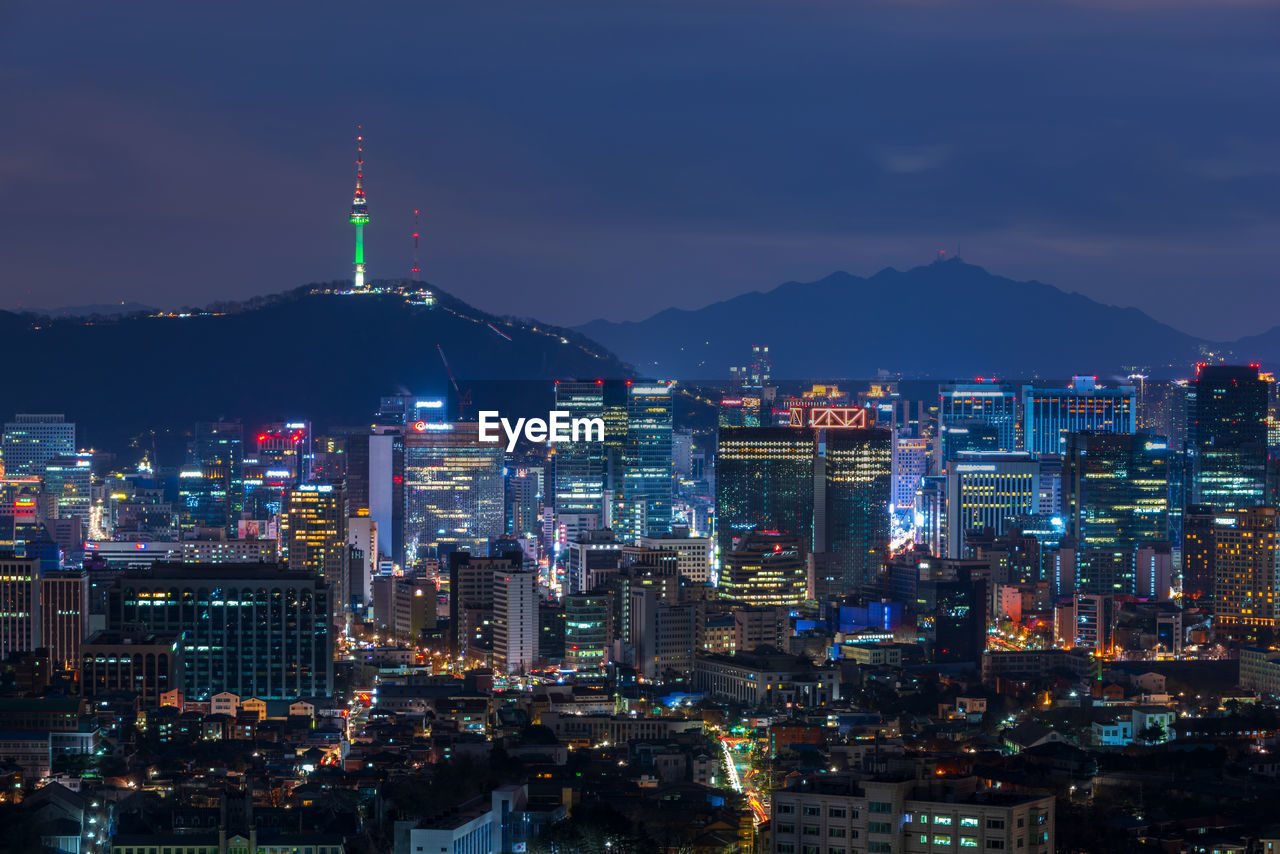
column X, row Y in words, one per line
column 947, row 319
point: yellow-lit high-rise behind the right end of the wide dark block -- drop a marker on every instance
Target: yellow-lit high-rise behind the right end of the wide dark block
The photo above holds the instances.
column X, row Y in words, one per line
column 314, row 537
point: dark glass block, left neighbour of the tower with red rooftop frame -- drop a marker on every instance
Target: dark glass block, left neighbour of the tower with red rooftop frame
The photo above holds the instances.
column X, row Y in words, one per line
column 765, row 478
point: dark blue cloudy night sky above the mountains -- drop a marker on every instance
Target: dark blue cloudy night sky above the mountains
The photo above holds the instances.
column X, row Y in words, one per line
column 612, row 159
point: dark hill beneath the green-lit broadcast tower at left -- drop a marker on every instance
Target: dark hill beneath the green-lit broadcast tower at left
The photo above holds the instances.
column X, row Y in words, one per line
column 304, row 354
